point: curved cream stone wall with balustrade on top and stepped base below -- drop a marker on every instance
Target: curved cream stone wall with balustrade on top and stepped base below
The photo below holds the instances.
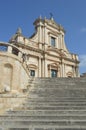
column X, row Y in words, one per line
column 14, row 77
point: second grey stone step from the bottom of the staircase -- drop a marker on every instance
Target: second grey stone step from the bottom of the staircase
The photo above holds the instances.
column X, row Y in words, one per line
column 43, row 118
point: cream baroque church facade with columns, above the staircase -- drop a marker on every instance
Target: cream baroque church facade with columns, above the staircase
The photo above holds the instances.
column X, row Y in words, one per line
column 45, row 52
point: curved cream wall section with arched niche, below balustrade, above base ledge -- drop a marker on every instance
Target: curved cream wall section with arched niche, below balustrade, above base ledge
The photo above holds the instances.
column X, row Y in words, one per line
column 13, row 74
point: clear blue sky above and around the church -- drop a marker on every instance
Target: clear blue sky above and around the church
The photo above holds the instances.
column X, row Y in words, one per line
column 71, row 14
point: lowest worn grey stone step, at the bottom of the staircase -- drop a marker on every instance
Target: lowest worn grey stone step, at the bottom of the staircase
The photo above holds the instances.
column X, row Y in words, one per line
column 25, row 124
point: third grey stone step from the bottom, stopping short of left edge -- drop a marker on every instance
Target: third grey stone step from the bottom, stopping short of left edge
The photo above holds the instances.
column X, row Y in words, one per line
column 24, row 112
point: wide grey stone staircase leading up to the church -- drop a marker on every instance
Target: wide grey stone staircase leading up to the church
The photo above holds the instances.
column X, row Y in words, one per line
column 51, row 104
